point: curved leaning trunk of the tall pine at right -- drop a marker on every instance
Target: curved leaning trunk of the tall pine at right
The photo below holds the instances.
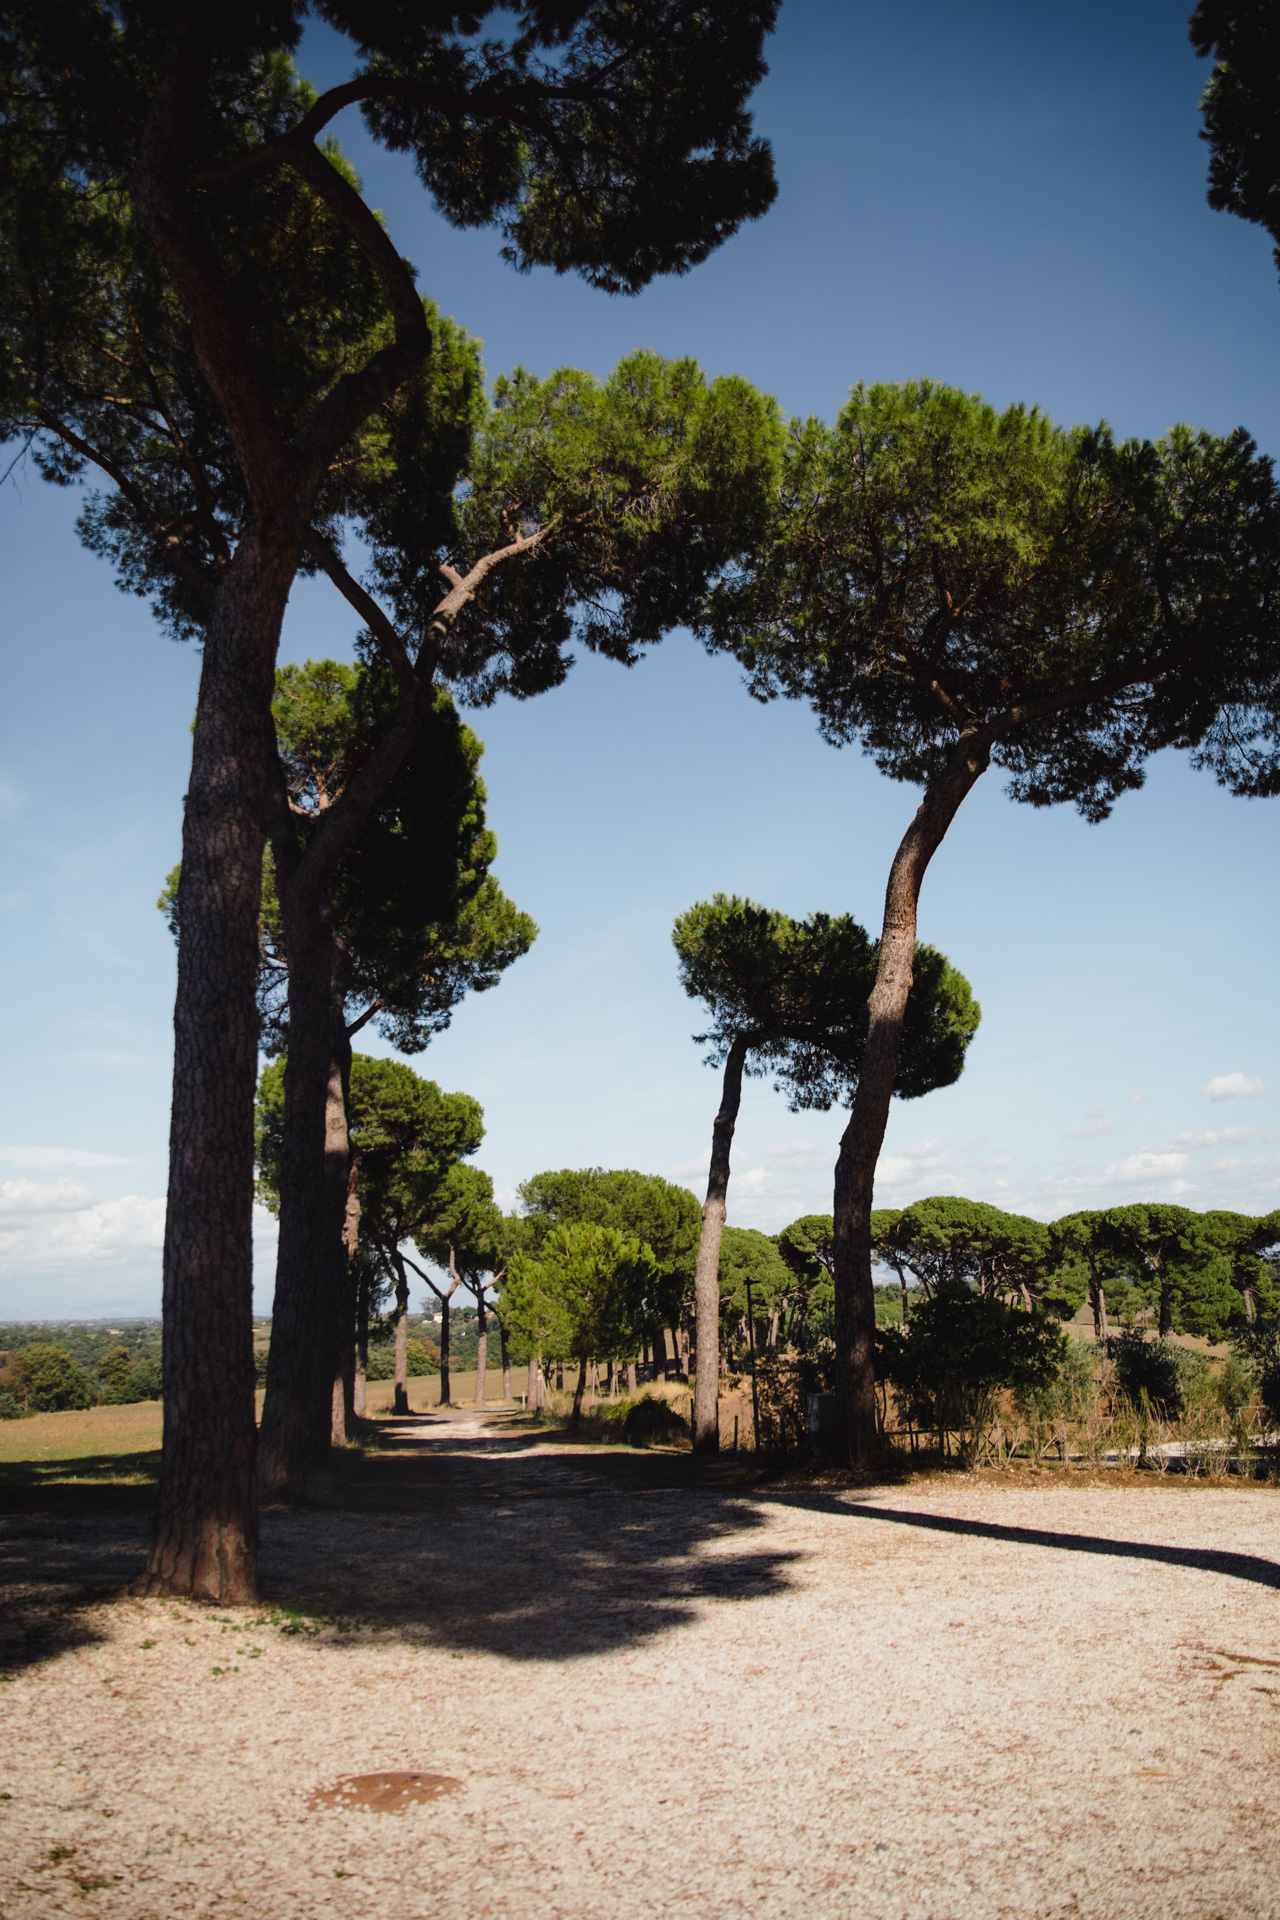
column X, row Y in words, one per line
column 863, row 1140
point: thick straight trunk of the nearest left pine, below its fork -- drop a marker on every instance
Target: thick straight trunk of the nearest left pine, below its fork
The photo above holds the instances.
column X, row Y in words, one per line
column 204, row 1531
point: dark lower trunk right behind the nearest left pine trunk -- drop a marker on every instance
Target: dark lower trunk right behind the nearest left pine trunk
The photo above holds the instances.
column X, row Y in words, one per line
column 314, row 1203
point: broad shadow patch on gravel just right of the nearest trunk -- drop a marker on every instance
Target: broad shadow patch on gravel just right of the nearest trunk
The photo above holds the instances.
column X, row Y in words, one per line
column 511, row 1543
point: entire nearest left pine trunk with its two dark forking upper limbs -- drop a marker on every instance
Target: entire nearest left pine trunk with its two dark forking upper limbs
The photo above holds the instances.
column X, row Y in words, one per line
column 204, row 1533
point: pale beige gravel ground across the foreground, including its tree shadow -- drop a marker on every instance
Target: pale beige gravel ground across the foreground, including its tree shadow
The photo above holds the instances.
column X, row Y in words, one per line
column 962, row 1698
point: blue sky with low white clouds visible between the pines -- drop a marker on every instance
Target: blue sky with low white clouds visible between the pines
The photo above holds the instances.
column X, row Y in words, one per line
column 1001, row 197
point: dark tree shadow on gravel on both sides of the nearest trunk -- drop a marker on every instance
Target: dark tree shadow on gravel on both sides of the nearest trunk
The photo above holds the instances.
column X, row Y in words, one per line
column 477, row 1541
